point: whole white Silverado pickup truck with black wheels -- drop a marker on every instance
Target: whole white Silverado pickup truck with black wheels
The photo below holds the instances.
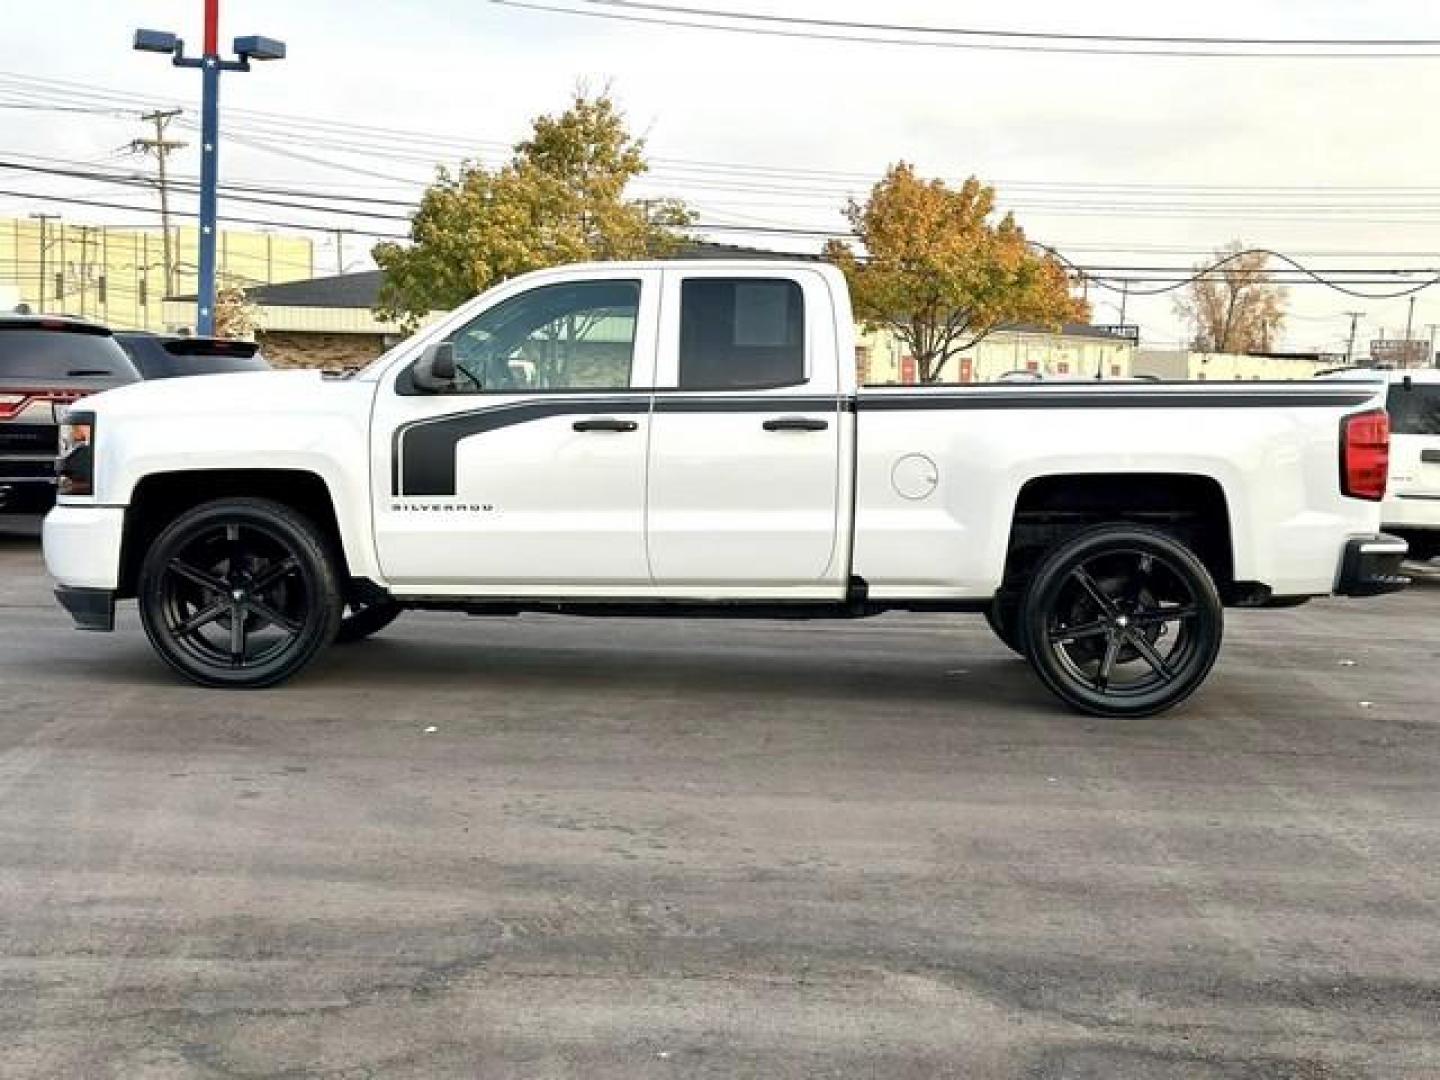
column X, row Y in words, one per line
column 688, row 438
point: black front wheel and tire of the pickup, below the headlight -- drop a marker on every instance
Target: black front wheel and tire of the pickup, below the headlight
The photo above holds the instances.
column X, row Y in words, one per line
column 240, row 594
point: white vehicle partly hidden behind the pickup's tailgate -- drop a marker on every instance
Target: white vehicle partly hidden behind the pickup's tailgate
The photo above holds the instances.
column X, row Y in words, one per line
column 1412, row 508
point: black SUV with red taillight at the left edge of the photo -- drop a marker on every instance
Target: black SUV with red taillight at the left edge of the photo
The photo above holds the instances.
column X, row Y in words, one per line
column 47, row 362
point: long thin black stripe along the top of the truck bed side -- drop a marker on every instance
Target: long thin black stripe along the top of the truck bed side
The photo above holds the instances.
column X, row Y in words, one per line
column 1111, row 400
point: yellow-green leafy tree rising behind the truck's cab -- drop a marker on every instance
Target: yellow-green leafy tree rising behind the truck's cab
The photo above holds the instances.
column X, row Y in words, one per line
column 562, row 198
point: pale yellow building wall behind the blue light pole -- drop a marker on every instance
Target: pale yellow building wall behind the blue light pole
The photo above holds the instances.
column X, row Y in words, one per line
column 117, row 276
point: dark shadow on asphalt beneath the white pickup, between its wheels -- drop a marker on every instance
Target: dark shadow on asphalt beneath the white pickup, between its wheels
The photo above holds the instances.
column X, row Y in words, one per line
column 977, row 676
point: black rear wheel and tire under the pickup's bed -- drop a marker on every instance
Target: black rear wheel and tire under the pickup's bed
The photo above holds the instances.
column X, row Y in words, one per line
column 1122, row 621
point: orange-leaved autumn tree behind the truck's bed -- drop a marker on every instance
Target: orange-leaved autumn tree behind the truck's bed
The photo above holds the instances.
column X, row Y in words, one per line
column 938, row 271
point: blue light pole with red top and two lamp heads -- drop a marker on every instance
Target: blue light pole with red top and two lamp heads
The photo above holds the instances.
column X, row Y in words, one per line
column 211, row 66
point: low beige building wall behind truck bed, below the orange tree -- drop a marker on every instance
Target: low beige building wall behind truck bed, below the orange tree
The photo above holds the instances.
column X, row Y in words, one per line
column 883, row 358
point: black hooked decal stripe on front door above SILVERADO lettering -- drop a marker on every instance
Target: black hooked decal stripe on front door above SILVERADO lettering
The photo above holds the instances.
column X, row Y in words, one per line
column 424, row 451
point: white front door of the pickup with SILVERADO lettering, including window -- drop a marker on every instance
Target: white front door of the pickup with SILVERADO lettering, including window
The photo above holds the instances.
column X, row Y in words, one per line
column 529, row 476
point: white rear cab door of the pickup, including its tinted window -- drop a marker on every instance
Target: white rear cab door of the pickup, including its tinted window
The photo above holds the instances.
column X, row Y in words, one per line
column 747, row 436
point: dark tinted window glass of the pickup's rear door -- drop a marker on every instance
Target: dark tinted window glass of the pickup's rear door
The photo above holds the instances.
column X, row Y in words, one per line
column 741, row 335
